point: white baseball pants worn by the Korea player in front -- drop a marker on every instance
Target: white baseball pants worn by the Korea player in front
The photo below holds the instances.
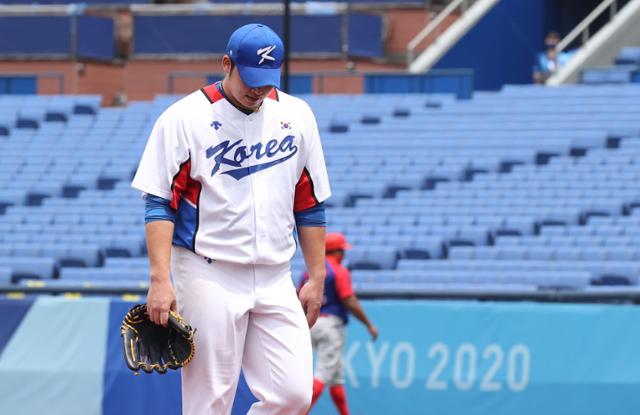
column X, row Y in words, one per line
column 246, row 316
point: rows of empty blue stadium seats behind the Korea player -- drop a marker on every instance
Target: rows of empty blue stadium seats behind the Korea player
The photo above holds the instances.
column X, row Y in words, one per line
column 526, row 189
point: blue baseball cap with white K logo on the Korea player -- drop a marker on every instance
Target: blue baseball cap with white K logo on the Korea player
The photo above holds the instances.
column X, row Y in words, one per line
column 258, row 54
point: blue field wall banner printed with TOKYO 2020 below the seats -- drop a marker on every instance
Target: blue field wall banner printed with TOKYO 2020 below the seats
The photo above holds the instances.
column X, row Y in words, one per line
column 60, row 356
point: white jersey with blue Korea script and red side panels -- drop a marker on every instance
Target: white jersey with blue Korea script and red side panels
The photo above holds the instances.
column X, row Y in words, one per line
column 235, row 179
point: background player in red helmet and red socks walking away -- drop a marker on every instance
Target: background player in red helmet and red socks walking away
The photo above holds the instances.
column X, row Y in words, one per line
column 329, row 332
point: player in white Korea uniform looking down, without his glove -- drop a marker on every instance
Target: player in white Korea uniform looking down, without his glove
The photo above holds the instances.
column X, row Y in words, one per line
column 229, row 172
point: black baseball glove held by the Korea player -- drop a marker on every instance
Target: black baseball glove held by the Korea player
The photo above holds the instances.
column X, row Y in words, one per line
column 150, row 347
